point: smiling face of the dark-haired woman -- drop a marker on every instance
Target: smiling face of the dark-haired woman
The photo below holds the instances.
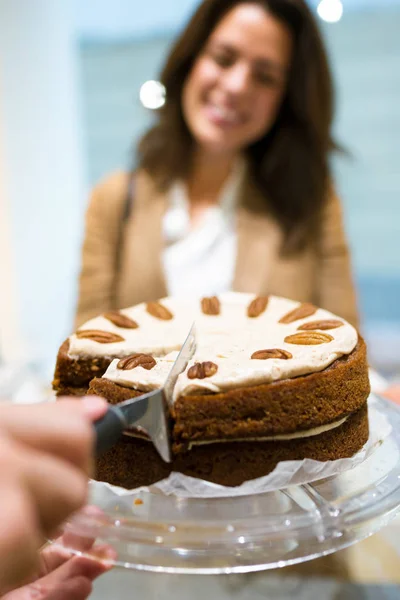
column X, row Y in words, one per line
column 235, row 88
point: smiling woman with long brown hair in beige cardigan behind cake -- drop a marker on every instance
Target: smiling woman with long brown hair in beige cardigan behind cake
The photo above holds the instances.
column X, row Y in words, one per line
column 233, row 187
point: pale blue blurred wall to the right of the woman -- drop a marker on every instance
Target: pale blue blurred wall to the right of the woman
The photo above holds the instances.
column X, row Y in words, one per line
column 365, row 48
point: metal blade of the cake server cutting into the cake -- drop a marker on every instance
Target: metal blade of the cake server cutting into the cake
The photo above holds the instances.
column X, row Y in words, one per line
column 149, row 411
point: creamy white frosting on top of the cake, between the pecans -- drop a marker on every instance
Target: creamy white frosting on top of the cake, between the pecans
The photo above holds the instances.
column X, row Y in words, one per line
column 228, row 339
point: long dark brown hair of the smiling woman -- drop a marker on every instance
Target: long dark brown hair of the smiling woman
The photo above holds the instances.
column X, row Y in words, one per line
column 290, row 164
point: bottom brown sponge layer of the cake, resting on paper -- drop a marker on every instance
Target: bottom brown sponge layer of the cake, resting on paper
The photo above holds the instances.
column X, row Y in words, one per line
column 134, row 462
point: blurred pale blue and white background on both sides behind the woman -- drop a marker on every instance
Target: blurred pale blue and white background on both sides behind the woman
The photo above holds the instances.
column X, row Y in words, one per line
column 72, row 105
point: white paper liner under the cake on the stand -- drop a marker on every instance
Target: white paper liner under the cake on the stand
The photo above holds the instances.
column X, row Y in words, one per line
column 285, row 474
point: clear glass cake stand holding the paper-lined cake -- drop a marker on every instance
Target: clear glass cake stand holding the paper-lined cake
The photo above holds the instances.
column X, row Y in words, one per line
column 172, row 534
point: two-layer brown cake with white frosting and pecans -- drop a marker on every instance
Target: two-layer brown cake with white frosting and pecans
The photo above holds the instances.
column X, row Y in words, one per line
column 272, row 379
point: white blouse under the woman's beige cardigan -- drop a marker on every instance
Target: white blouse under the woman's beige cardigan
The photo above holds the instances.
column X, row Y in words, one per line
column 200, row 260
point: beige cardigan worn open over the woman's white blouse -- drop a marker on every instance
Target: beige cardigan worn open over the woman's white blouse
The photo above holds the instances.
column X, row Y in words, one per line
column 320, row 274
